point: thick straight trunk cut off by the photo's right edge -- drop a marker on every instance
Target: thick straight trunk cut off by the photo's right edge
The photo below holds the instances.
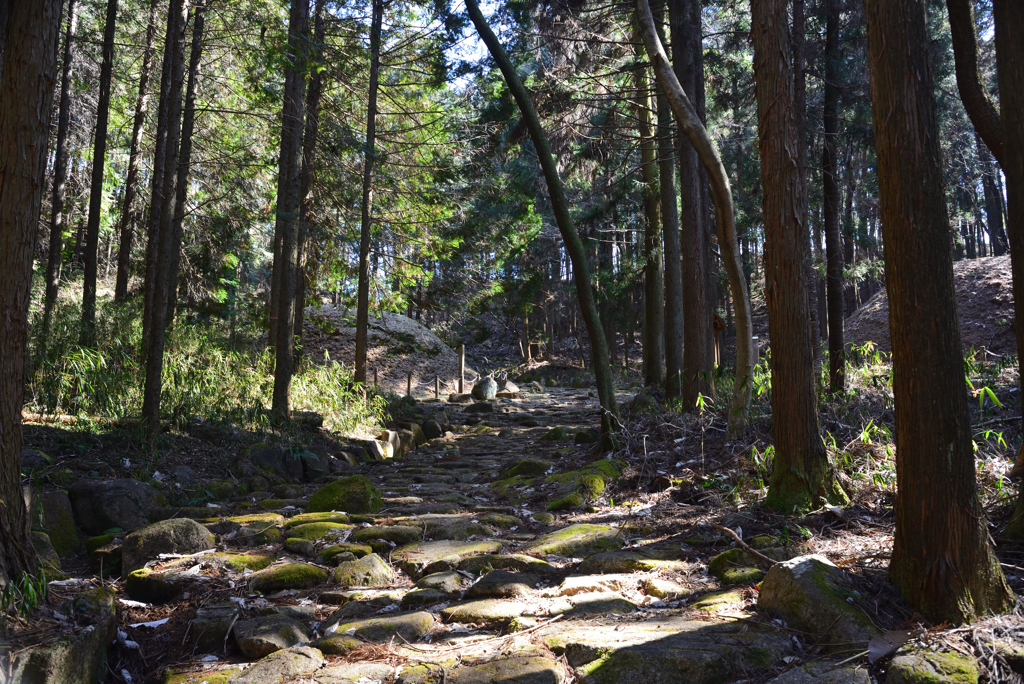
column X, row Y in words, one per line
column 1010, row 65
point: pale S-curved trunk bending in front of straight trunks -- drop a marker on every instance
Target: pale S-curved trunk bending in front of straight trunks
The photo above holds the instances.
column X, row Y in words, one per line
column 726, row 217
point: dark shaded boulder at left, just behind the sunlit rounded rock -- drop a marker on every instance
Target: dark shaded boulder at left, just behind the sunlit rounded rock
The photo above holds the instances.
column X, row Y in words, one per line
column 104, row 505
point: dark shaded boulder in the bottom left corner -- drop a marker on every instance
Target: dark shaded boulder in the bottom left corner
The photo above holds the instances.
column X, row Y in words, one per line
column 71, row 659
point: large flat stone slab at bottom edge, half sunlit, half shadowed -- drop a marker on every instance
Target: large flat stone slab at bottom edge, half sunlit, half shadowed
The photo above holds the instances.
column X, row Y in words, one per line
column 668, row 651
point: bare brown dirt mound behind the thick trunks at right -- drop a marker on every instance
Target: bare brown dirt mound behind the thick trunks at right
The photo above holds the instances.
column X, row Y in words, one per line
column 985, row 302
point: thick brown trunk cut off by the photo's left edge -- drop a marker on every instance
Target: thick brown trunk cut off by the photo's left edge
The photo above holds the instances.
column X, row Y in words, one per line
column 30, row 64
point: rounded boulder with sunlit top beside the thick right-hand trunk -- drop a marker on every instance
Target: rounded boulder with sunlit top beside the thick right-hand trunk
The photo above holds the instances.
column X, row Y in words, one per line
column 815, row 596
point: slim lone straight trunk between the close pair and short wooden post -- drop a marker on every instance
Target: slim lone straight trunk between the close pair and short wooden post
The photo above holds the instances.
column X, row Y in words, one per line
column 363, row 295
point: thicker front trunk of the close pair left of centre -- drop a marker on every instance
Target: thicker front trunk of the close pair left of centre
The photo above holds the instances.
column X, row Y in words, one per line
column 289, row 169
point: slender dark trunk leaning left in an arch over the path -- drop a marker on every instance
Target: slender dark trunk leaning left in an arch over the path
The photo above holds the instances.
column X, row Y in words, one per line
column 560, row 205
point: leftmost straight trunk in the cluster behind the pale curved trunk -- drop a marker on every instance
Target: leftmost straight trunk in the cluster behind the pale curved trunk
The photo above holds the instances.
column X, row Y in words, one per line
column 654, row 293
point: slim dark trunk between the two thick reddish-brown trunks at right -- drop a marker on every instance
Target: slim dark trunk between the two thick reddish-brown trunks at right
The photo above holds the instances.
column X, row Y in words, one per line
column 830, row 182
